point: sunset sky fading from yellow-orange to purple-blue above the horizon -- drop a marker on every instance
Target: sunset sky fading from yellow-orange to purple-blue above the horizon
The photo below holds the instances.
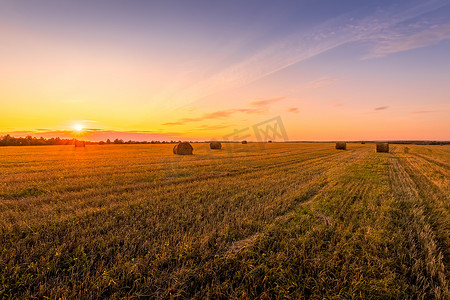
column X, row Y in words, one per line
column 200, row 70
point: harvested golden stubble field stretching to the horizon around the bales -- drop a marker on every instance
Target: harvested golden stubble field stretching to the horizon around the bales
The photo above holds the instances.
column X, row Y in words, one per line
column 263, row 221
